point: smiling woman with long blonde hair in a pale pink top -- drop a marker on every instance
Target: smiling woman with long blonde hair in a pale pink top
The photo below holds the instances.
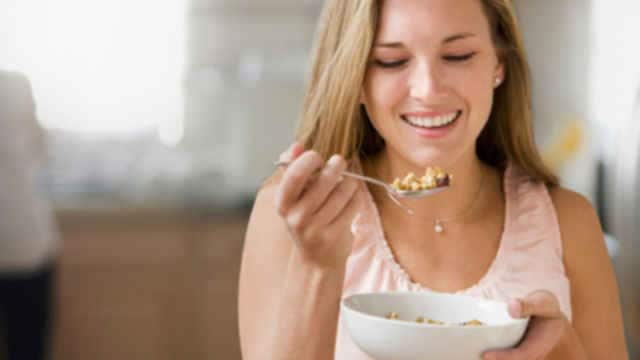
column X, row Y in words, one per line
column 397, row 86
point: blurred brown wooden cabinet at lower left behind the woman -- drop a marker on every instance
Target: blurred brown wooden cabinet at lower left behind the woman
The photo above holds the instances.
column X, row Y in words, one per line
column 142, row 285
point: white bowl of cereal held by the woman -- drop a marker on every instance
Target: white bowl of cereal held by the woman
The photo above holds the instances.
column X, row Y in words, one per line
column 364, row 316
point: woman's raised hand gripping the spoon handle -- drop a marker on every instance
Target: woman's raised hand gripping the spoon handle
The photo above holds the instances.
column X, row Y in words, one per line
column 318, row 206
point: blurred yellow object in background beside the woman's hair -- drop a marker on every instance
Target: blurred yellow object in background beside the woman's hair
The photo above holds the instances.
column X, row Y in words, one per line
column 564, row 146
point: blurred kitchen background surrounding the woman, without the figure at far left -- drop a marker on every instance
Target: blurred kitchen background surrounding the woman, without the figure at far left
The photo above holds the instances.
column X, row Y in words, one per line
column 163, row 117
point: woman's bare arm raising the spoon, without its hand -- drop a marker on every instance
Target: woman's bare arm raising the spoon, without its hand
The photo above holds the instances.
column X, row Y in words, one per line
column 288, row 309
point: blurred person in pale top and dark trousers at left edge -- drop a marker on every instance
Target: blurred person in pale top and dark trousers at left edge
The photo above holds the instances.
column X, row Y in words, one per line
column 28, row 234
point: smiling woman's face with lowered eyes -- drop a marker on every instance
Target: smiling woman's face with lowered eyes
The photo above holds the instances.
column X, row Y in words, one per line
column 428, row 88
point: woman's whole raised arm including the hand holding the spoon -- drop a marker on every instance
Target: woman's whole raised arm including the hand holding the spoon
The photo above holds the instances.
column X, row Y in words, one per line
column 294, row 261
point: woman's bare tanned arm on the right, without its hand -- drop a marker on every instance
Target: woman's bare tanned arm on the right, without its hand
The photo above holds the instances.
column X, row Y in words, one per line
column 597, row 318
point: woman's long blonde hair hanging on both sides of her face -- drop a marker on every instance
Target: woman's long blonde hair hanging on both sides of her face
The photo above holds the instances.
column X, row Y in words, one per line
column 334, row 122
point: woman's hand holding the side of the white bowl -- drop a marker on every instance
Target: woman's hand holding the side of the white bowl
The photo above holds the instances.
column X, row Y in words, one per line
column 546, row 327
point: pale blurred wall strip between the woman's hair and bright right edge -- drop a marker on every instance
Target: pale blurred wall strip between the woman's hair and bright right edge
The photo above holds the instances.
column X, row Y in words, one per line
column 558, row 38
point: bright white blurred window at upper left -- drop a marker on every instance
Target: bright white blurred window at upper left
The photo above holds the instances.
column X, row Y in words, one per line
column 101, row 67
